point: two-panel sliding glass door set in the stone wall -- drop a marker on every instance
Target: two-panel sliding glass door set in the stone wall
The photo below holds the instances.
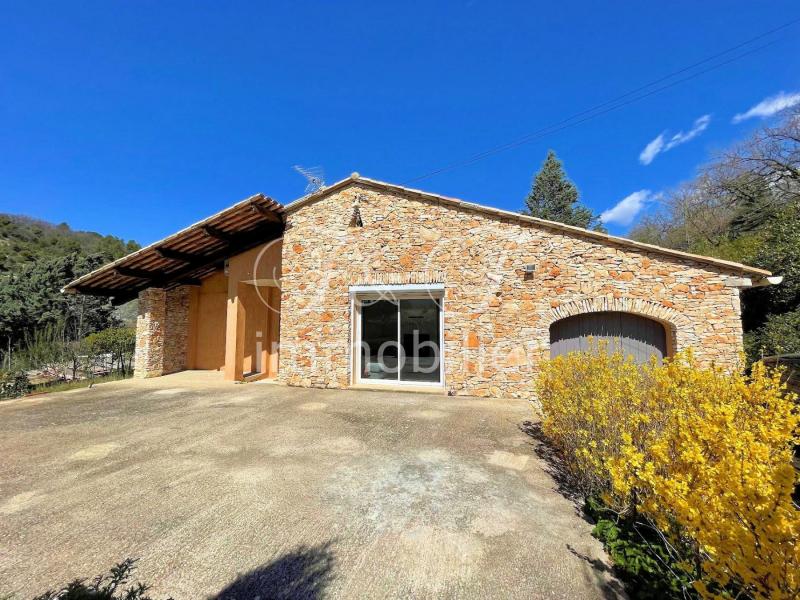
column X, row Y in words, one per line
column 399, row 340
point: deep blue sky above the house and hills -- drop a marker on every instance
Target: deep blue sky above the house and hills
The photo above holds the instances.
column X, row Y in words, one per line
column 138, row 118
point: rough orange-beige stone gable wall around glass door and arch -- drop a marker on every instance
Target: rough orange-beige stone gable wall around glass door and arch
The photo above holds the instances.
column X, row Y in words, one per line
column 496, row 317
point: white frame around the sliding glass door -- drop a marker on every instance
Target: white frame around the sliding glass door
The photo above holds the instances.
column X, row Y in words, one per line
column 434, row 291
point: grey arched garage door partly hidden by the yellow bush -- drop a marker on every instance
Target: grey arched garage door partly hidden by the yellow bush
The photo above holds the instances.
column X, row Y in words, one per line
column 632, row 334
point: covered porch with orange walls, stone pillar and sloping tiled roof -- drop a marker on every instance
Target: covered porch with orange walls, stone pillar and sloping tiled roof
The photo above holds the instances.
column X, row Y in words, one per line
column 208, row 295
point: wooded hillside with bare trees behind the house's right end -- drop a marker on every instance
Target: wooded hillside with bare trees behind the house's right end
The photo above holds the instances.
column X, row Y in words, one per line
column 745, row 206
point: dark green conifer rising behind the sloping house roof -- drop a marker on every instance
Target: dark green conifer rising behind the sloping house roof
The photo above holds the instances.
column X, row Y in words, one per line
column 555, row 198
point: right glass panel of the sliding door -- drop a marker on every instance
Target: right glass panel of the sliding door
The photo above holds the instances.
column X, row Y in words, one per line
column 420, row 341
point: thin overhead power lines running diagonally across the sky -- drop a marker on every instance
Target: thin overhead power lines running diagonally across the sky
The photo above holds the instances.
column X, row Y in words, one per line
column 629, row 97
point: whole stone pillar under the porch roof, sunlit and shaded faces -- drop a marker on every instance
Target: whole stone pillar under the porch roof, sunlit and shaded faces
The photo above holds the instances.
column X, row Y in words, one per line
column 162, row 329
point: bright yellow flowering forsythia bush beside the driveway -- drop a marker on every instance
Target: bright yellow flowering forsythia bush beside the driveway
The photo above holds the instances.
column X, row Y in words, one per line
column 701, row 456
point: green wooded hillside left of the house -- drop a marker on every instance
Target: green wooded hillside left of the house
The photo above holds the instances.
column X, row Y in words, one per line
column 36, row 260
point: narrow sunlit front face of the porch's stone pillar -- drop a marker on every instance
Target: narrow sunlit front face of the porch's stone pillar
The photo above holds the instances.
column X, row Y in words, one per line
column 149, row 357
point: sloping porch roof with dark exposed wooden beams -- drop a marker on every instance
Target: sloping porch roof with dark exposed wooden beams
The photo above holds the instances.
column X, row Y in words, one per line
column 188, row 255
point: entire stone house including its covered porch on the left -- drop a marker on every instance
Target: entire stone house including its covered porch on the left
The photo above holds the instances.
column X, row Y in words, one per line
column 366, row 283
